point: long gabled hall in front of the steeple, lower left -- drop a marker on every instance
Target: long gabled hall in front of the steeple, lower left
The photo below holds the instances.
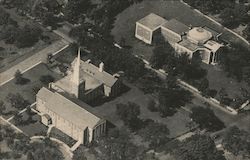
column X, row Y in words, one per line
column 71, row 118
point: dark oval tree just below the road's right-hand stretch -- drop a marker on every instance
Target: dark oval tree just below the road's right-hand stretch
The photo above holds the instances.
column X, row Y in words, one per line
column 206, row 119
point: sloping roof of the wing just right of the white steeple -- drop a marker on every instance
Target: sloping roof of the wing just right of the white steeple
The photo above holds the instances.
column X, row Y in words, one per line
column 104, row 77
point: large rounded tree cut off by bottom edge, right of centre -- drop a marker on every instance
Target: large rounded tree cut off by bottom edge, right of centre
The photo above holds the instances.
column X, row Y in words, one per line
column 198, row 147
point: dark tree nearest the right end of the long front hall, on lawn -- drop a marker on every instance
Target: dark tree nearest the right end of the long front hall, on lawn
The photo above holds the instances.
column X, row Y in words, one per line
column 129, row 114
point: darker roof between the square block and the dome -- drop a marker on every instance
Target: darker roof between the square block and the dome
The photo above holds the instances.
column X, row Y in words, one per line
column 176, row 26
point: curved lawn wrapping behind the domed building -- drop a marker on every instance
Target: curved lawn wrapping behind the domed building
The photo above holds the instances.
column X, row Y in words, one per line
column 124, row 25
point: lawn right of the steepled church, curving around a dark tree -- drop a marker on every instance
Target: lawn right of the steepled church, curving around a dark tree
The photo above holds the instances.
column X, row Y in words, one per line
column 176, row 123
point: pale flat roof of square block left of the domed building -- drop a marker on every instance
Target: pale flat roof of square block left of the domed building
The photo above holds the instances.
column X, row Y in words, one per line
column 152, row 21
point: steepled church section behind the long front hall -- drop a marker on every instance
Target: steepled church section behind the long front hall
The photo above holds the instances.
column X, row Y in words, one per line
column 87, row 82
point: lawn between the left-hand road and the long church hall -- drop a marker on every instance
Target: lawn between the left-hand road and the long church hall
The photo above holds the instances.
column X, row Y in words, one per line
column 28, row 91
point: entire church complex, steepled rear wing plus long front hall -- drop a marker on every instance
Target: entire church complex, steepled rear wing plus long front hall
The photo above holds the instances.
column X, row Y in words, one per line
column 84, row 82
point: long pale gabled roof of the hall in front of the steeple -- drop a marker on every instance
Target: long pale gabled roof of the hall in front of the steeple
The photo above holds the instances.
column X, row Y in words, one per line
column 68, row 110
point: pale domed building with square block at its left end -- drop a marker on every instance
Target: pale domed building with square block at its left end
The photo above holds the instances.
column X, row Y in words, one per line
column 183, row 38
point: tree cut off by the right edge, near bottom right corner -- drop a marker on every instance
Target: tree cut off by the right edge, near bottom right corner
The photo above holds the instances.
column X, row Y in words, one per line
column 237, row 141
